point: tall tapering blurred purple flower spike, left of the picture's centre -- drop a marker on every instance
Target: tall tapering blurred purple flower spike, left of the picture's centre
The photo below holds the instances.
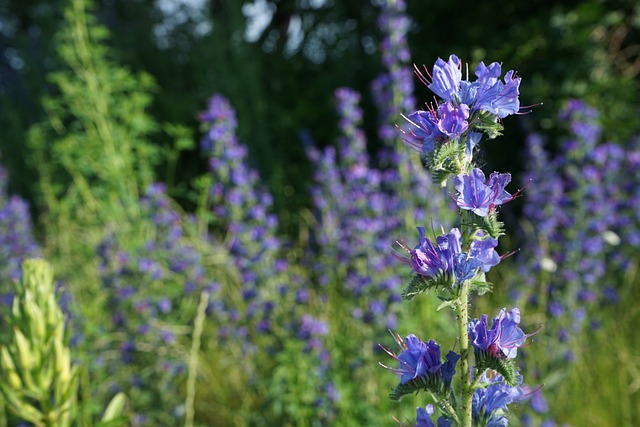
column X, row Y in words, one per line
column 268, row 304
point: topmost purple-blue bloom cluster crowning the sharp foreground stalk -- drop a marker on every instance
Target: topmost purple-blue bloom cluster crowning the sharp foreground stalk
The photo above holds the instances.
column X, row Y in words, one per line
column 448, row 132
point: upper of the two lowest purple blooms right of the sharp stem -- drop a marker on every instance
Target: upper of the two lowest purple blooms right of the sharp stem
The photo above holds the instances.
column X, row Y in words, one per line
column 504, row 337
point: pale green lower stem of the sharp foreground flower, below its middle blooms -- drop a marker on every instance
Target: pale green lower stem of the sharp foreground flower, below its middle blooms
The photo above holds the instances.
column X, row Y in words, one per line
column 467, row 388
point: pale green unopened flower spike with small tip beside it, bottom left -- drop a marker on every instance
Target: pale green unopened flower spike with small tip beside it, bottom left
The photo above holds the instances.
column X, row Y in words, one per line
column 40, row 381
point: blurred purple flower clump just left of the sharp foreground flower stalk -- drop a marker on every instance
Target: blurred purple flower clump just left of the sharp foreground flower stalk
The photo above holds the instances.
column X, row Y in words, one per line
column 351, row 223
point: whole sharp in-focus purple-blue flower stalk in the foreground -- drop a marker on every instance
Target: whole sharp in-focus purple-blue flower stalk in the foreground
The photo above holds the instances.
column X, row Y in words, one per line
column 453, row 264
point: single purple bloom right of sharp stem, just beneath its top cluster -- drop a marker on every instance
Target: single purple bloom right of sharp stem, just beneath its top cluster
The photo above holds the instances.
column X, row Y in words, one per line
column 479, row 197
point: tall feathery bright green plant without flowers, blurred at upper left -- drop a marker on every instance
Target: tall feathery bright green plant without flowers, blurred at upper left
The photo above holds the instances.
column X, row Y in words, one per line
column 92, row 153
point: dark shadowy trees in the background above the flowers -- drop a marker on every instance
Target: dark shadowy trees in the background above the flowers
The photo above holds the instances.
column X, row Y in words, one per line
column 279, row 61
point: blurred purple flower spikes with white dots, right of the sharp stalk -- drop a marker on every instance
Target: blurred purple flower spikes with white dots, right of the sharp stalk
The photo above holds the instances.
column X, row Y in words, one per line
column 581, row 224
